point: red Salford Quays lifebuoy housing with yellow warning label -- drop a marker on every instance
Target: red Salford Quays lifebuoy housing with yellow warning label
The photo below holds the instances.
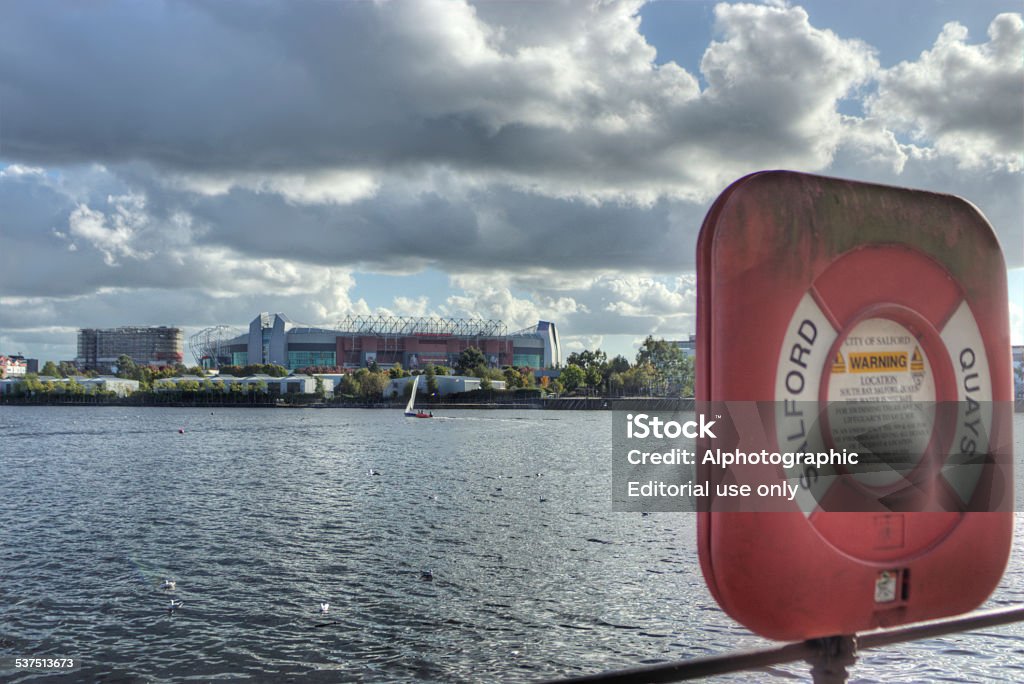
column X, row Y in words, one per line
column 844, row 318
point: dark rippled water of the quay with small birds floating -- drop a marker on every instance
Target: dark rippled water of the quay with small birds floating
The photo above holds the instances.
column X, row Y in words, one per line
column 263, row 515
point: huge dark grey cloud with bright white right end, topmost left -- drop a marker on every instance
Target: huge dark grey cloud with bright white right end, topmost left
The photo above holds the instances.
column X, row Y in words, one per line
column 562, row 101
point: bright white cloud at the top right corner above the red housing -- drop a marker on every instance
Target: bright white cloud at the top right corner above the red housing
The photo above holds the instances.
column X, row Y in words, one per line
column 967, row 100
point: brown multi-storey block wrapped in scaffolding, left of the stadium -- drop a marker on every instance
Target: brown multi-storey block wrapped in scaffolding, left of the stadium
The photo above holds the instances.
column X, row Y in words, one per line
column 100, row 350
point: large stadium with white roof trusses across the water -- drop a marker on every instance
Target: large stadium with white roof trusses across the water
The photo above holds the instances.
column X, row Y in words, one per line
column 362, row 341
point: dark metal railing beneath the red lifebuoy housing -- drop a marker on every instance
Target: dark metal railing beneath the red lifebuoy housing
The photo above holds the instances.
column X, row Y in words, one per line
column 829, row 658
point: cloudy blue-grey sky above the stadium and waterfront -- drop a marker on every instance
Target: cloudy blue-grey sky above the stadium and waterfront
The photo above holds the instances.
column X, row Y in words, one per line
column 195, row 163
